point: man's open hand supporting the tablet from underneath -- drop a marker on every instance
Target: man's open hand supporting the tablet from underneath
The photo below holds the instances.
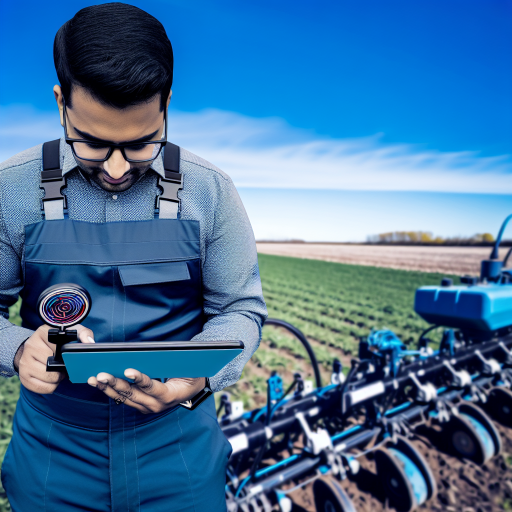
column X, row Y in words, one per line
column 145, row 394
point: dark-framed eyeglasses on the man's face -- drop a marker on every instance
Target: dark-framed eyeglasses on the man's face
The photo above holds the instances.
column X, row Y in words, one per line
column 134, row 152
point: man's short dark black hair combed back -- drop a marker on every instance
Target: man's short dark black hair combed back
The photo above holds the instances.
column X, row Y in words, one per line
column 118, row 52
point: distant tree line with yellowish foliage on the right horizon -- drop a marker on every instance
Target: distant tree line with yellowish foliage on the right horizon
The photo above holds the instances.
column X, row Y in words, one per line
column 427, row 238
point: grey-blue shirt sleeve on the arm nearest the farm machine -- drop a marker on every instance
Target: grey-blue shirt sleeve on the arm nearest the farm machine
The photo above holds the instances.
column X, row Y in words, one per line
column 233, row 298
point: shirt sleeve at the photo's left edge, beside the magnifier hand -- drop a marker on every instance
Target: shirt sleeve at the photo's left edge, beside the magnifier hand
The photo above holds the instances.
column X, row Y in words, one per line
column 11, row 283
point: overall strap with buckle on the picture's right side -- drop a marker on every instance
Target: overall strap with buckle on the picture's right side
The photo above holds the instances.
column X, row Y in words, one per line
column 167, row 203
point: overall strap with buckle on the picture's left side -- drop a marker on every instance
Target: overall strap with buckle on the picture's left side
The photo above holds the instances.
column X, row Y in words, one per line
column 52, row 182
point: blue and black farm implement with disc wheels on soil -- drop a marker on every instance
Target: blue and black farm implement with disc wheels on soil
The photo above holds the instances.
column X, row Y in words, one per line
column 452, row 392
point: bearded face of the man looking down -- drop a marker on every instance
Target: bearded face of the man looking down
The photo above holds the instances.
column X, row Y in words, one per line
column 91, row 120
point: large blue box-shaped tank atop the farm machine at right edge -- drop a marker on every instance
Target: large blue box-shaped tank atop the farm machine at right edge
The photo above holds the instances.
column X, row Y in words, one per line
column 484, row 307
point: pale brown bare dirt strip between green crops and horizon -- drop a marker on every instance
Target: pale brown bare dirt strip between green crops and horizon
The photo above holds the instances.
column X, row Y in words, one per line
column 449, row 260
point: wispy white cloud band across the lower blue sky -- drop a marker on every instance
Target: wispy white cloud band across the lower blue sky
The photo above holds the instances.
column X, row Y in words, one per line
column 268, row 153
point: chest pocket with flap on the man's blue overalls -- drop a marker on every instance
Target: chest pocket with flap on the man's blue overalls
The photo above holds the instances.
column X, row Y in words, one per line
column 161, row 301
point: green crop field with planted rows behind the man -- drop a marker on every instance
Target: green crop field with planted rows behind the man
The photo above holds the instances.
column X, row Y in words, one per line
column 333, row 304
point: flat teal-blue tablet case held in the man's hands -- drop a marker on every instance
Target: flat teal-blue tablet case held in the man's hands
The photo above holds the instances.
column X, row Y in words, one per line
column 155, row 363
